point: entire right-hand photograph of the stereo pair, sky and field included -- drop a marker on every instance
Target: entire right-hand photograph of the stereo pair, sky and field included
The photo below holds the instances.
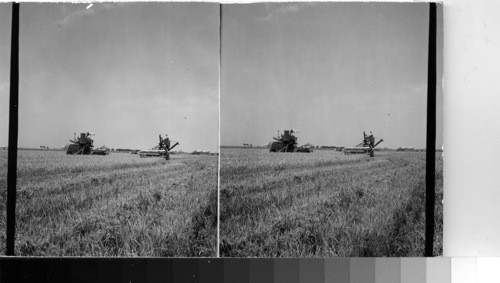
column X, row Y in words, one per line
column 323, row 128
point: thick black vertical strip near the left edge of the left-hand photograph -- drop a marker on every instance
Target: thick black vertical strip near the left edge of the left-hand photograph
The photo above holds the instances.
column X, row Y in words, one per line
column 13, row 129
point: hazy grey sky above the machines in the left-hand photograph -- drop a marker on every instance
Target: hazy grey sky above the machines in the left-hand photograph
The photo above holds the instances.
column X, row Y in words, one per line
column 126, row 72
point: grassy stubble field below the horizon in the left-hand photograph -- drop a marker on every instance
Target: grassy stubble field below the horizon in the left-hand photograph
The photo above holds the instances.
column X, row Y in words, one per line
column 115, row 205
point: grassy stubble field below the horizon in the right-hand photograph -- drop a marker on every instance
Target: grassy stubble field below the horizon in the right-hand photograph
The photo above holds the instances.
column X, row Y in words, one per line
column 325, row 204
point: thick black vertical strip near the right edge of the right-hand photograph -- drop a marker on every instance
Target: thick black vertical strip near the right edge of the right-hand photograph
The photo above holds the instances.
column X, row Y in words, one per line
column 431, row 136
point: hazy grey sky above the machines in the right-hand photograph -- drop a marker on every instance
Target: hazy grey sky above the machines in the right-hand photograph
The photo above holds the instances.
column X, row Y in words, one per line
column 328, row 70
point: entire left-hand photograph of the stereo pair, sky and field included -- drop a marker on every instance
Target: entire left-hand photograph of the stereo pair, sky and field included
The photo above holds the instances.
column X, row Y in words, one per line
column 118, row 129
